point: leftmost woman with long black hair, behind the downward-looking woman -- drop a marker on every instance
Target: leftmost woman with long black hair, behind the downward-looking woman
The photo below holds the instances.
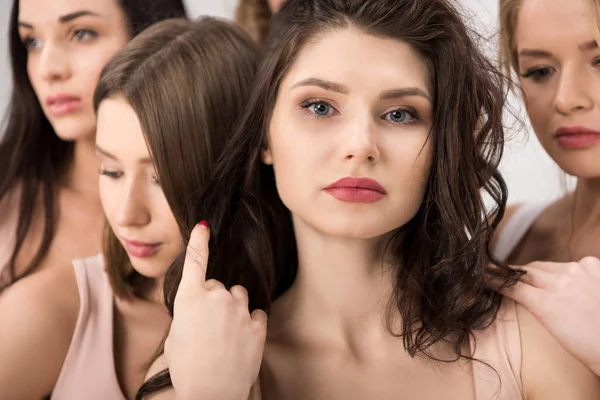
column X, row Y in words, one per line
column 50, row 211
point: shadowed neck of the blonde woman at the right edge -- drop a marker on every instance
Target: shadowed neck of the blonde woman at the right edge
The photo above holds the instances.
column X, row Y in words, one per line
column 586, row 204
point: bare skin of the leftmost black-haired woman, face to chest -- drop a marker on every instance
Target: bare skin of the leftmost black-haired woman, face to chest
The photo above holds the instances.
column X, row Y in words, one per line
column 67, row 58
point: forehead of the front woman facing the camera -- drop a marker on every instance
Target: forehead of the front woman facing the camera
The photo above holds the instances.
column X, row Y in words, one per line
column 355, row 58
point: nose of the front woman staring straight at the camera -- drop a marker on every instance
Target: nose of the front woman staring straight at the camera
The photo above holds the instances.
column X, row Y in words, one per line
column 361, row 142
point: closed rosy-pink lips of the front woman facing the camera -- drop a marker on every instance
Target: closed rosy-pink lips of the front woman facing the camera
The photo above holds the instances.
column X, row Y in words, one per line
column 356, row 190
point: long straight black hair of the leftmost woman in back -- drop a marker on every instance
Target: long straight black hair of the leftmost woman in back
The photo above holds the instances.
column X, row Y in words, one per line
column 31, row 154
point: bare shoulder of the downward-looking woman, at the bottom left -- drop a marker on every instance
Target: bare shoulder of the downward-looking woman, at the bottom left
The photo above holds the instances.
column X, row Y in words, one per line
column 37, row 318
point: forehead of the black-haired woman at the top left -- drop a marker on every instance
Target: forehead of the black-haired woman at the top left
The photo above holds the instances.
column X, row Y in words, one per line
column 50, row 10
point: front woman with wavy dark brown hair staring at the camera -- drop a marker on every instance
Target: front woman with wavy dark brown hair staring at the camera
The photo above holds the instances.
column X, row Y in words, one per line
column 348, row 205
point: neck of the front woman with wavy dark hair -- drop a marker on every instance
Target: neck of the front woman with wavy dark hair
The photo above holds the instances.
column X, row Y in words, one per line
column 342, row 287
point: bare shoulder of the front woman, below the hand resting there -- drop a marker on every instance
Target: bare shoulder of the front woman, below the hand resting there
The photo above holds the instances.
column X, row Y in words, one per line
column 548, row 371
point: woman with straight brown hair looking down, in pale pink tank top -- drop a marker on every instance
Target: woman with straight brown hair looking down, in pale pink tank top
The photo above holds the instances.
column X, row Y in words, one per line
column 165, row 105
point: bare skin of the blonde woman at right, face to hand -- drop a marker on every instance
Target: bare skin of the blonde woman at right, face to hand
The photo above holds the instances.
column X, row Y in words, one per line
column 560, row 80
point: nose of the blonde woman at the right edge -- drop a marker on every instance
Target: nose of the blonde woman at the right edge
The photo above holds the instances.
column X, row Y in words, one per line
column 572, row 94
